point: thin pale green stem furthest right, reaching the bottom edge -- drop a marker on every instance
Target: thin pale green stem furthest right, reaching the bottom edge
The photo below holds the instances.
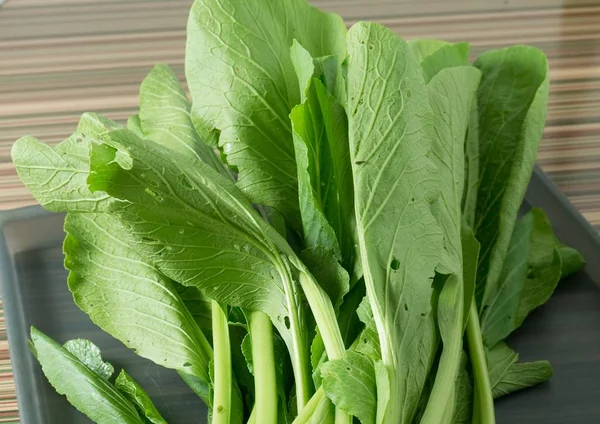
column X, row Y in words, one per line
column 483, row 400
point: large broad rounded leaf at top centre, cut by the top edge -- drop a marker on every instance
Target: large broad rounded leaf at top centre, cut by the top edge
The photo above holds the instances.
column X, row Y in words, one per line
column 242, row 80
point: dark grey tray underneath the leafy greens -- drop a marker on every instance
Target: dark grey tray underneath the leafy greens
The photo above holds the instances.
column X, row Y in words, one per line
column 565, row 331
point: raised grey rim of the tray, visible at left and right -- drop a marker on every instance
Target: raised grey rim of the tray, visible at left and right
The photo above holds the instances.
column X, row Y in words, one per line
column 581, row 235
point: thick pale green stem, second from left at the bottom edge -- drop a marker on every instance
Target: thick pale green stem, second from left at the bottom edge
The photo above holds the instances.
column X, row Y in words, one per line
column 263, row 361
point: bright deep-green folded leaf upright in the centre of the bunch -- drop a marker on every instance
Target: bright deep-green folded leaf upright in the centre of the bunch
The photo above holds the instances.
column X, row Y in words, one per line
column 324, row 174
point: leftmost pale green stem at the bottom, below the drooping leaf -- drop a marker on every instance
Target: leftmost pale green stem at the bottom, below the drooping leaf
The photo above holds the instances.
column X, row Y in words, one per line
column 223, row 378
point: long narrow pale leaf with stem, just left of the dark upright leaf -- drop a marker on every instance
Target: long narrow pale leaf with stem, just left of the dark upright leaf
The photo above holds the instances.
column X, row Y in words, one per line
column 451, row 92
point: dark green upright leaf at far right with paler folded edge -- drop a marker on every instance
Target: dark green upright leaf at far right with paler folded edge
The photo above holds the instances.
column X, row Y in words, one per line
column 512, row 100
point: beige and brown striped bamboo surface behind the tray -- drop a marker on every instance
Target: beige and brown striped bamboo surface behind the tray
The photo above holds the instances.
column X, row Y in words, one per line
column 60, row 58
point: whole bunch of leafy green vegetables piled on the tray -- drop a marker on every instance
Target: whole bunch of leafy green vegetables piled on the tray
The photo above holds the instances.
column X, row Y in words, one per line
column 327, row 232
